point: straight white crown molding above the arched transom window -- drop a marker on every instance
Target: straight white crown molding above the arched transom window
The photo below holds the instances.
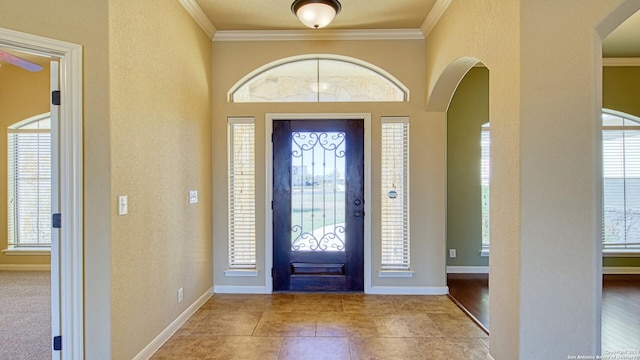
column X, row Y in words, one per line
column 299, row 35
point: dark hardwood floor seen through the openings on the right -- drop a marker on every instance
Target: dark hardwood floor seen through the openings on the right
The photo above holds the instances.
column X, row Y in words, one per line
column 620, row 307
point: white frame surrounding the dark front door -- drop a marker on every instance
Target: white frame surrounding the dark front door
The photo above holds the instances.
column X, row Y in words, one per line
column 269, row 118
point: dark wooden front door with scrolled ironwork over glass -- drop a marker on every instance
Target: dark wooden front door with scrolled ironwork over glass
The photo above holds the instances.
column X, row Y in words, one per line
column 318, row 205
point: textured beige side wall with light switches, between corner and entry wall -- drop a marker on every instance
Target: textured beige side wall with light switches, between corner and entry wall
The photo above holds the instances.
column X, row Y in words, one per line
column 160, row 77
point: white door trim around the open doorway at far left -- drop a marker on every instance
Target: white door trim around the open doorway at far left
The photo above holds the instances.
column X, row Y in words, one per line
column 71, row 269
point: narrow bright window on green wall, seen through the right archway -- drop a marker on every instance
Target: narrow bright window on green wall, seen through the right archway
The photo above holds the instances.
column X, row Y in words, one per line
column 485, row 172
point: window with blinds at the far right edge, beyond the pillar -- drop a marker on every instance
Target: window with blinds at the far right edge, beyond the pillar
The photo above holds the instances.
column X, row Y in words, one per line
column 621, row 182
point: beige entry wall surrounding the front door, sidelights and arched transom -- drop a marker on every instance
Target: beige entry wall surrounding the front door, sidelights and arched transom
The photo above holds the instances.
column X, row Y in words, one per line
column 405, row 61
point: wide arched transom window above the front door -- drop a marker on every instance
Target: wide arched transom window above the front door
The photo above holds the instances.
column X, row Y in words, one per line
column 318, row 78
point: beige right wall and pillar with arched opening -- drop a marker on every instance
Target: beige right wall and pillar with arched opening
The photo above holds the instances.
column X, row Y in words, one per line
column 544, row 85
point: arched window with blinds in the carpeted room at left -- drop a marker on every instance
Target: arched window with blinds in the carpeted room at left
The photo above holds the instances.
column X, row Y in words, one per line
column 29, row 183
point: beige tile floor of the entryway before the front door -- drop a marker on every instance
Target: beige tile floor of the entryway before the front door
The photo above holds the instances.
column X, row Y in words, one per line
column 327, row 326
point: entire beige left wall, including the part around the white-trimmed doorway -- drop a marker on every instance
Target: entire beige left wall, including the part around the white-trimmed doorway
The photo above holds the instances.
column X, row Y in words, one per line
column 157, row 116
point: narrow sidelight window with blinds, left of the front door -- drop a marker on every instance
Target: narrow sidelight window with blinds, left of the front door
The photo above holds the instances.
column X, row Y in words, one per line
column 242, row 193
